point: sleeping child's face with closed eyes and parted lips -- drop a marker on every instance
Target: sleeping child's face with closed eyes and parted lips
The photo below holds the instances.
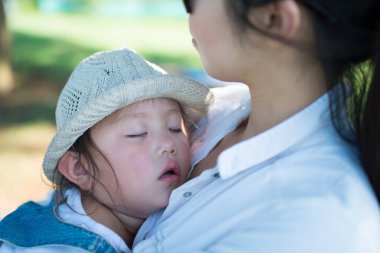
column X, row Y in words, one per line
column 147, row 150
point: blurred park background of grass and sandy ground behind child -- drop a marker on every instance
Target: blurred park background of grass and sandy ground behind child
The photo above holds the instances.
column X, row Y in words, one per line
column 48, row 38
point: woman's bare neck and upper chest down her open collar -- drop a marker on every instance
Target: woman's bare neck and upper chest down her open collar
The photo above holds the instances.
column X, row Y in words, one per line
column 273, row 101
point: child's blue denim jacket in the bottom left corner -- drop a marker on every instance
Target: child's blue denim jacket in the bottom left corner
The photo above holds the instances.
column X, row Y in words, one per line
column 33, row 225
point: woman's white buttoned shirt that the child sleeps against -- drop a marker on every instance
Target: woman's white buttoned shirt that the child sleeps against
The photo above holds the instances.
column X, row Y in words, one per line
column 294, row 188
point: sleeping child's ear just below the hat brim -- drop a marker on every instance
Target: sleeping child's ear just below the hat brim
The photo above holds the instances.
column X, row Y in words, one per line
column 70, row 167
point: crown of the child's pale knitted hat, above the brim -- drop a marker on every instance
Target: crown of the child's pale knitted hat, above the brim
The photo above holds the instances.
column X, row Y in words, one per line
column 98, row 74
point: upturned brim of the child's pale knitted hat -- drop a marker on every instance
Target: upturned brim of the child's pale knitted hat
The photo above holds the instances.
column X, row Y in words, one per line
column 193, row 96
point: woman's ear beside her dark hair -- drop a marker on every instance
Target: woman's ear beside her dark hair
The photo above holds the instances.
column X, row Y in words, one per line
column 281, row 18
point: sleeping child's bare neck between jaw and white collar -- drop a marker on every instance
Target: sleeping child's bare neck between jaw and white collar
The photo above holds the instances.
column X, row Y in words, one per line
column 125, row 226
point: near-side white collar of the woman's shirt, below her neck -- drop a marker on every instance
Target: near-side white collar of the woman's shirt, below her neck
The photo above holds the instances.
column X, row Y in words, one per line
column 274, row 141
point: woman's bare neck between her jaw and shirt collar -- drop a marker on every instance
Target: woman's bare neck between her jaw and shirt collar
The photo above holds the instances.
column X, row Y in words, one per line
column 277, row 97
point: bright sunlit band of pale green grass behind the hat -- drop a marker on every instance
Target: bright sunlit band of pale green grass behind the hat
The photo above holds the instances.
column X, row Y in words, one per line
column 148, row 36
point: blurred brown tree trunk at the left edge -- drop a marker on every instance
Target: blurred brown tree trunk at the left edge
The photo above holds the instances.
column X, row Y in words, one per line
column 6, row 73
